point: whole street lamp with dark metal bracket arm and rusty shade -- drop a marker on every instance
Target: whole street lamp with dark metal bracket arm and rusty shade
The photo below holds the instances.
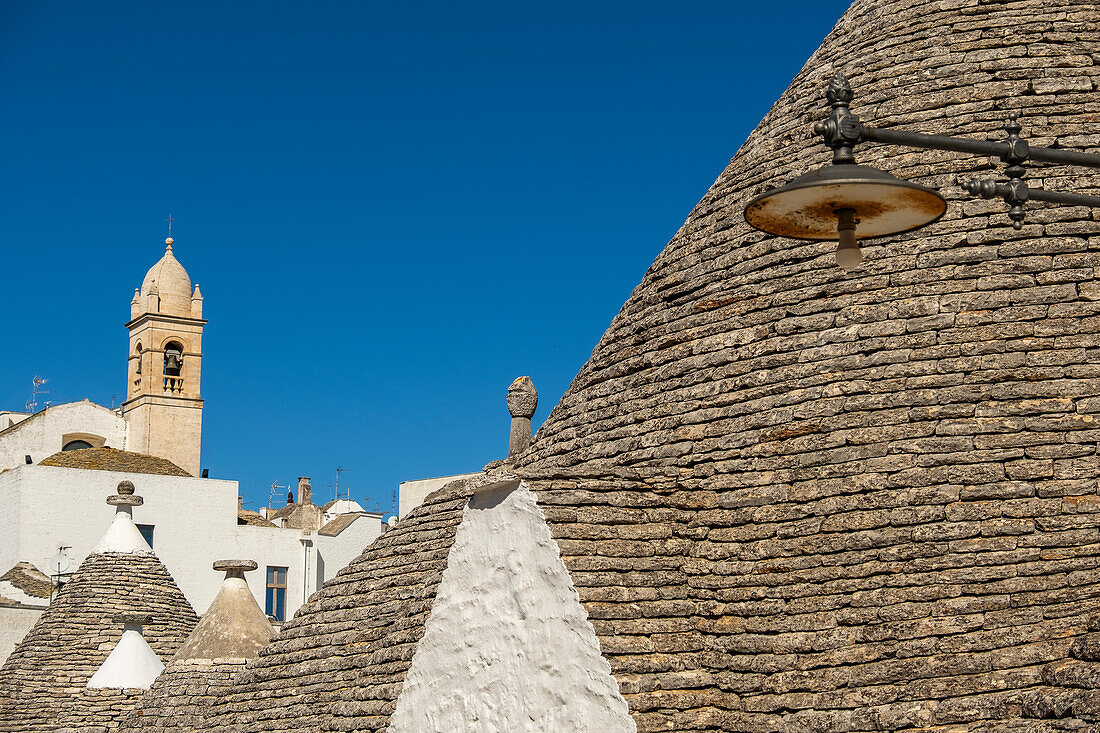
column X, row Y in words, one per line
column 840, row 201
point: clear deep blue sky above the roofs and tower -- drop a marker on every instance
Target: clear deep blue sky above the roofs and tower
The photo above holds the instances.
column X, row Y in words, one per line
column 393, row 210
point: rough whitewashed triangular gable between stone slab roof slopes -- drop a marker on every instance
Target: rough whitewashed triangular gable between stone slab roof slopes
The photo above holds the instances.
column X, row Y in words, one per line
column 509, row 646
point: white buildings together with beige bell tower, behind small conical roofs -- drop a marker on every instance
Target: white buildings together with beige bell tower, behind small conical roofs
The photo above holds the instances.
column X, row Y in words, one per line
column 155, row 442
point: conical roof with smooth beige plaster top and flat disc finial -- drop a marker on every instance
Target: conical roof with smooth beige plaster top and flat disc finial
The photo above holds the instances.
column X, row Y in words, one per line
column 232, row 632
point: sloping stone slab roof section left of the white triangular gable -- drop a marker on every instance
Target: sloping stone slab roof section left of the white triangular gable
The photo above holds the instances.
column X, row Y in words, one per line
column 339, row 664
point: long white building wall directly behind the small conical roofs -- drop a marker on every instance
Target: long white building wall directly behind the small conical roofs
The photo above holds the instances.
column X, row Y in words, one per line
column 195, row 524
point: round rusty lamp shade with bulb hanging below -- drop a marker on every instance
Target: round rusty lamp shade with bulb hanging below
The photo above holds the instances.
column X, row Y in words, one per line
column 840, row 203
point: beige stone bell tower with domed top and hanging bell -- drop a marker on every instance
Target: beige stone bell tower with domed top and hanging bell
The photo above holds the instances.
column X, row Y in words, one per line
column 164, row 401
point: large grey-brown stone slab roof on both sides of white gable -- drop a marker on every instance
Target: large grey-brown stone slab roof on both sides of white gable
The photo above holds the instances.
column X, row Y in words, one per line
column 796, row 499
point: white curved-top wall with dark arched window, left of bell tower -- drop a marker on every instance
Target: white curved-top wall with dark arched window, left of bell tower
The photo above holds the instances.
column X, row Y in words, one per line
column 41, row 436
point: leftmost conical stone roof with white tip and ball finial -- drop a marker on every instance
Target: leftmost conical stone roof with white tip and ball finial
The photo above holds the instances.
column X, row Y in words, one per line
column 43, row 684
